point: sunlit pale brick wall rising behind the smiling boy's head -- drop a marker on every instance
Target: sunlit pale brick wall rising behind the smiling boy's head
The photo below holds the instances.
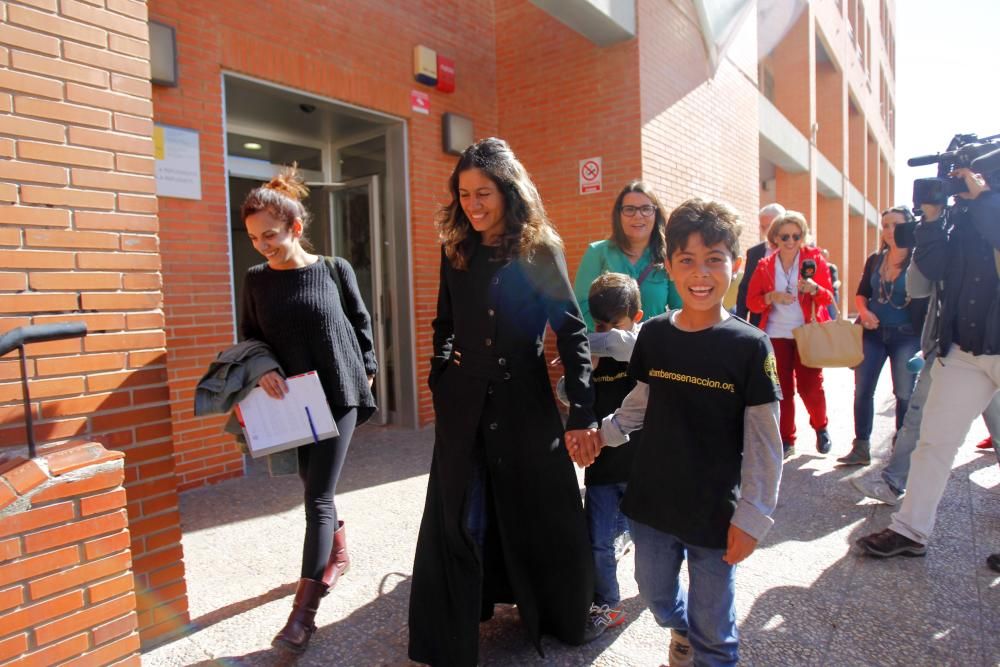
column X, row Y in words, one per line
column 699, row 128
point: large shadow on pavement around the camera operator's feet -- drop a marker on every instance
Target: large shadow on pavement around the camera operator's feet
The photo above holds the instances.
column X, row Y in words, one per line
column 863, row 610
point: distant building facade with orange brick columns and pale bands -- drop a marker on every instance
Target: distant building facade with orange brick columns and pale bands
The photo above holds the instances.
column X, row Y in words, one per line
column 827, row 118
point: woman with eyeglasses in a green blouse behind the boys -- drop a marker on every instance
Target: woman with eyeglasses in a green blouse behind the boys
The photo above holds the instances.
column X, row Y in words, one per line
column 637, row 248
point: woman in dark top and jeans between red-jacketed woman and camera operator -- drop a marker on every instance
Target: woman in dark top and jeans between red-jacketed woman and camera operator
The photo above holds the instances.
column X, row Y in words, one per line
column 892, row 323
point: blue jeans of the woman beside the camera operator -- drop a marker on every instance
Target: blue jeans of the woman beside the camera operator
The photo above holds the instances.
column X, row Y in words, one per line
column 897, row 344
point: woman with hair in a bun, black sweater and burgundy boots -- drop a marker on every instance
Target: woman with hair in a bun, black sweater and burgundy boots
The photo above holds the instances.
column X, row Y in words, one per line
column 310, row 312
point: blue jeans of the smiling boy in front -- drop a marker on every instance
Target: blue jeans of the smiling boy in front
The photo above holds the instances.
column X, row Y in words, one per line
column 706, row 614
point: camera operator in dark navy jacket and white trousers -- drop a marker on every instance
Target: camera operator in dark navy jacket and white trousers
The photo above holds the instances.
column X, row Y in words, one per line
column 958, row 248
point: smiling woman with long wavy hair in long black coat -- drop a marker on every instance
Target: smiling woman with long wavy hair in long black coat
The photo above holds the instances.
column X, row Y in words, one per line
column 503, row 520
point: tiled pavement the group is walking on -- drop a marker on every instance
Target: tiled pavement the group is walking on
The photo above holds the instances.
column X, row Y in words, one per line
column 805, row 597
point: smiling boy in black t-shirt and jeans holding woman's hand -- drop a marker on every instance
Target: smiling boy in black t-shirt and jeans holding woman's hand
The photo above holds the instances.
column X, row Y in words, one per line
column 706, row 474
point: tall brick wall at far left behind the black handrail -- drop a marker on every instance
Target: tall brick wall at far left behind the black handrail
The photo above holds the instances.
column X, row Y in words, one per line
column 79, row 236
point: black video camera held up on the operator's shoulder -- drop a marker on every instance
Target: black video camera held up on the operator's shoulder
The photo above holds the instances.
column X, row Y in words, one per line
column 965, row 150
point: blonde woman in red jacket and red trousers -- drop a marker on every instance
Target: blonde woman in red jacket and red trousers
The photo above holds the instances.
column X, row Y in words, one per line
column 786, row 298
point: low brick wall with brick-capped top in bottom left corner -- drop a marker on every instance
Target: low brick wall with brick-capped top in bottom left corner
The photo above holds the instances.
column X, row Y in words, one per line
column 66, row 588
